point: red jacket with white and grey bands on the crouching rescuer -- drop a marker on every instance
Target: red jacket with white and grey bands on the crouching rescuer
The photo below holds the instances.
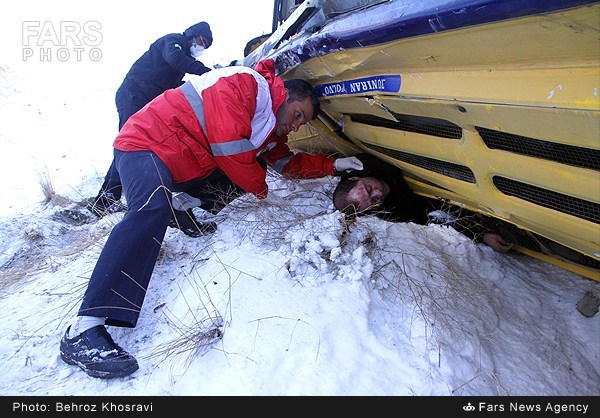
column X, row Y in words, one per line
column 222, row 119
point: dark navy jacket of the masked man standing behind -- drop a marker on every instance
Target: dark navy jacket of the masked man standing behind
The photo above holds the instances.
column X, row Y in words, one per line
column 162, row 67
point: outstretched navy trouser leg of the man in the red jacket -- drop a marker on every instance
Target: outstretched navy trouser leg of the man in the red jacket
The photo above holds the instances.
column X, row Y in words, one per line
column 119, row 281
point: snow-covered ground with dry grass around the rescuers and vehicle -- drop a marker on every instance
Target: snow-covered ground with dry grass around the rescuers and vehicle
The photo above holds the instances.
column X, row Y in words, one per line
column 301, row 306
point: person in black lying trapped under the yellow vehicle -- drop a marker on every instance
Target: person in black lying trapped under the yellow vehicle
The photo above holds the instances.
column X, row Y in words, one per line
column 379, row 189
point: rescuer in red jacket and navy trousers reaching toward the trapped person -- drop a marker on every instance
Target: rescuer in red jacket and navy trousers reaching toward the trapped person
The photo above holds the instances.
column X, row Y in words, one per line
column 216, row 123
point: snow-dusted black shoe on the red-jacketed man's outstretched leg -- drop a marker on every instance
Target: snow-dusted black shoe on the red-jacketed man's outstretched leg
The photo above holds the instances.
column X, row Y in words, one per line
column 95, row 352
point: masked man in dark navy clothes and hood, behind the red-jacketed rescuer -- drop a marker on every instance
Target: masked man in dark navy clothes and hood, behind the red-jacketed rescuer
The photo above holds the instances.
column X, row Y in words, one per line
column 160, row 68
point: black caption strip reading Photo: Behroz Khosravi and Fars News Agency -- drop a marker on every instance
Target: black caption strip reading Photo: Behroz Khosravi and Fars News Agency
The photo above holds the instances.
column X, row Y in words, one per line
column 451, row 406
